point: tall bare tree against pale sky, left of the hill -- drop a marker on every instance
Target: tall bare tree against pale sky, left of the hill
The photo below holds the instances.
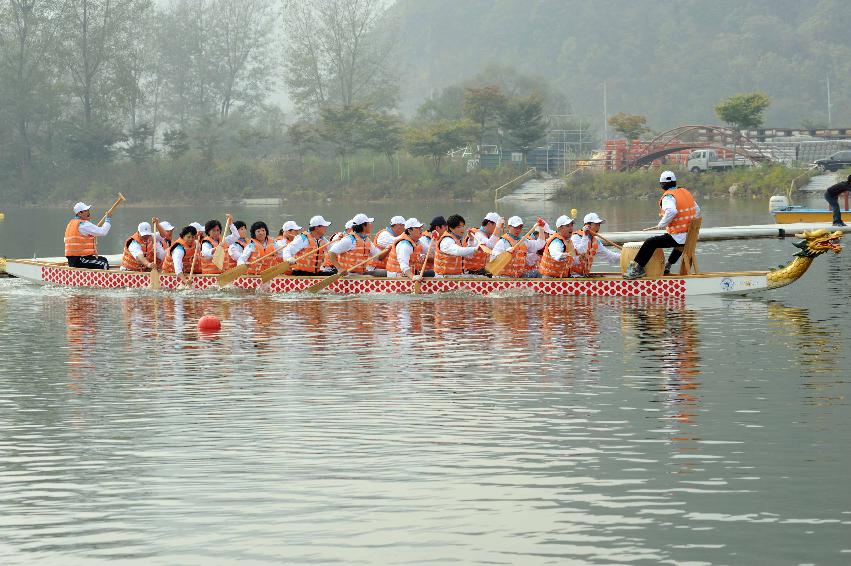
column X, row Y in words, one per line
column 339, row 52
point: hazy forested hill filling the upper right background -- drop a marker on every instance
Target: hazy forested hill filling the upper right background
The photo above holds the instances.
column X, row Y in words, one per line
column 670, row 61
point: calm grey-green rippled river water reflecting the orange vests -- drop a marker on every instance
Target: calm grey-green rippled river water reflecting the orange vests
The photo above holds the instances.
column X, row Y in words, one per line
column 414, row 430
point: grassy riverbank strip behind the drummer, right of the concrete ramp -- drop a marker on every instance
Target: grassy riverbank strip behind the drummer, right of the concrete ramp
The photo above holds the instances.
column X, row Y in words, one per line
column 754, row 182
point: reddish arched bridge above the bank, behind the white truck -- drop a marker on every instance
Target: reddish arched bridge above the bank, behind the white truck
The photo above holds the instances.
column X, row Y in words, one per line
column 695, row 137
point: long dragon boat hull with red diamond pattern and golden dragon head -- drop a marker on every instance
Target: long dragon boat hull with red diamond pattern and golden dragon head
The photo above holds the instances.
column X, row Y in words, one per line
column 811, row 245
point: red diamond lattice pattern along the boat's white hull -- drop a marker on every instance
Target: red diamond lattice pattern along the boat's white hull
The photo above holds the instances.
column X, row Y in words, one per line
column 581, row 287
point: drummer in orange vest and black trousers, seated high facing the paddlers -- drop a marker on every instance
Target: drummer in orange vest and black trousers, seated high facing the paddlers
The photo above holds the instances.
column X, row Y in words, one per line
column 677, row 208
